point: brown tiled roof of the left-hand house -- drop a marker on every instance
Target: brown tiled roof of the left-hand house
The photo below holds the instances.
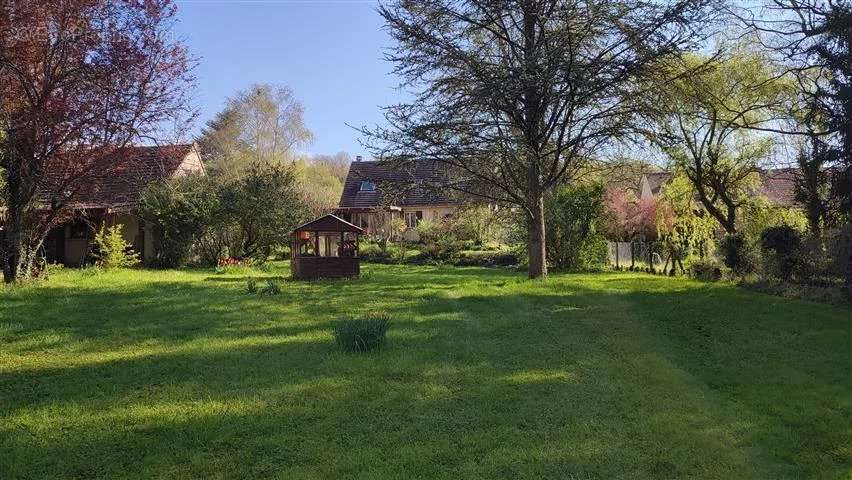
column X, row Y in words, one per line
column 121, row 184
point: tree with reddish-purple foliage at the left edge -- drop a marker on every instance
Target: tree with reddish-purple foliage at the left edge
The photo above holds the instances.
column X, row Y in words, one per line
column 79, row 81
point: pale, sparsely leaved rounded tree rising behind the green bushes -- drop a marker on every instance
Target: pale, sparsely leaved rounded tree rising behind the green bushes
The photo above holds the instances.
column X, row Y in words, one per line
column 262, row 124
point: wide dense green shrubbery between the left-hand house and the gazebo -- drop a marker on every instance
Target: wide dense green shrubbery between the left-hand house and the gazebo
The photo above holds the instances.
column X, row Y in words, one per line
column 245, row 216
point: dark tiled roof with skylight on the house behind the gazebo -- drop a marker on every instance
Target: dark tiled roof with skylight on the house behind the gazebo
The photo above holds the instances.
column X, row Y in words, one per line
column 406, row 186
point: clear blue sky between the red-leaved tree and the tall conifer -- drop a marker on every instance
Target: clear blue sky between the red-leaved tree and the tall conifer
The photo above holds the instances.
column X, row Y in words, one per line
column 329, row 52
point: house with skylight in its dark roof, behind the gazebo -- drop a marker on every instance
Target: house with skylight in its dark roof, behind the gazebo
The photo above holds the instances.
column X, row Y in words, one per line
column 375, row 194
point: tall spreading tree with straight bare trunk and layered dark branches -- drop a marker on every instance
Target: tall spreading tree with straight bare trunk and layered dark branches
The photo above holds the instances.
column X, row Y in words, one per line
column 511, row 98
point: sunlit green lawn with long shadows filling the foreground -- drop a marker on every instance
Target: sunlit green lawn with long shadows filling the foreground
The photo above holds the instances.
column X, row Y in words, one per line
column 180, row 374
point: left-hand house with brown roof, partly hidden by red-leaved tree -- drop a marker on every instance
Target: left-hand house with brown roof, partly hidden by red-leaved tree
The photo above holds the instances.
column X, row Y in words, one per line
column 111, row 197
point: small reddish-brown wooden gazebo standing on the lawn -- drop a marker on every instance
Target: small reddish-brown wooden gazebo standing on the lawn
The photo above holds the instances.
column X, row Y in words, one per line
column 325, row 248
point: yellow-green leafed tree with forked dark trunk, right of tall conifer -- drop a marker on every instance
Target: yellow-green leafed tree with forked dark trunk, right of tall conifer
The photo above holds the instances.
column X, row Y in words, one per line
column 703, row 123
